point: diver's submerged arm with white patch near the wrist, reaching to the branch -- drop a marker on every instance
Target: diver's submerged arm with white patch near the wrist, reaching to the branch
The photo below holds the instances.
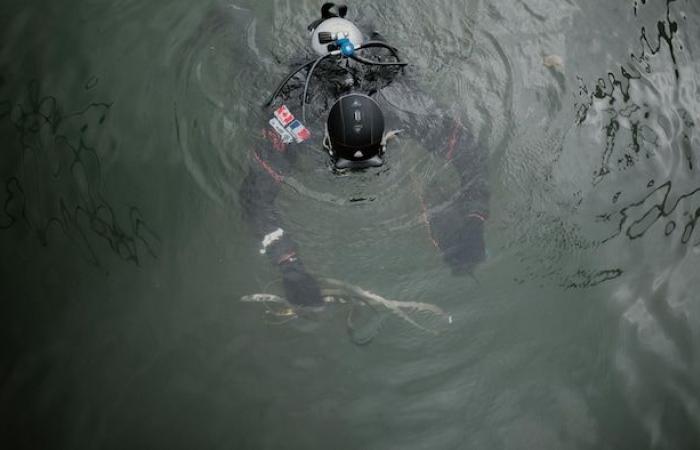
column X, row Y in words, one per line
column 270, row 163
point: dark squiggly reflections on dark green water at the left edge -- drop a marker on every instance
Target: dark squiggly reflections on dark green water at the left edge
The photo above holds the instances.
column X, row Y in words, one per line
column 58, row 180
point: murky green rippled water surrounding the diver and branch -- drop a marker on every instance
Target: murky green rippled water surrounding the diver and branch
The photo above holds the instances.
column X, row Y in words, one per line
column 125, row 138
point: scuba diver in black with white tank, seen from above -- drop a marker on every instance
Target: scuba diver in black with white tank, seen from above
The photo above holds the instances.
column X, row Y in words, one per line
column 359, row 83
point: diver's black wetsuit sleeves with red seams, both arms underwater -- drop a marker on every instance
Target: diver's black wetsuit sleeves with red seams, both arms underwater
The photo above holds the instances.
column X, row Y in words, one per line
column 456, row 231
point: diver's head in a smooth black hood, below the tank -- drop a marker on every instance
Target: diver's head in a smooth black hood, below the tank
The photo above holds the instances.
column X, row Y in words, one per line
column 355, row 132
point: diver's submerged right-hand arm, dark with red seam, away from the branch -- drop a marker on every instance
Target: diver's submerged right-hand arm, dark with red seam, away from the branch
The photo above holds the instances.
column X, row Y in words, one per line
column 458, row 230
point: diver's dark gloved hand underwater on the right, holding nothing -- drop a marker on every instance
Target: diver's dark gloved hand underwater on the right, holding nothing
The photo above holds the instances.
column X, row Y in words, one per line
column 460, row 237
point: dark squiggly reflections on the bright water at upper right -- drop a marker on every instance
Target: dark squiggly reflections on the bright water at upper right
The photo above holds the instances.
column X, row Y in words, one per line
column 630, row 124
